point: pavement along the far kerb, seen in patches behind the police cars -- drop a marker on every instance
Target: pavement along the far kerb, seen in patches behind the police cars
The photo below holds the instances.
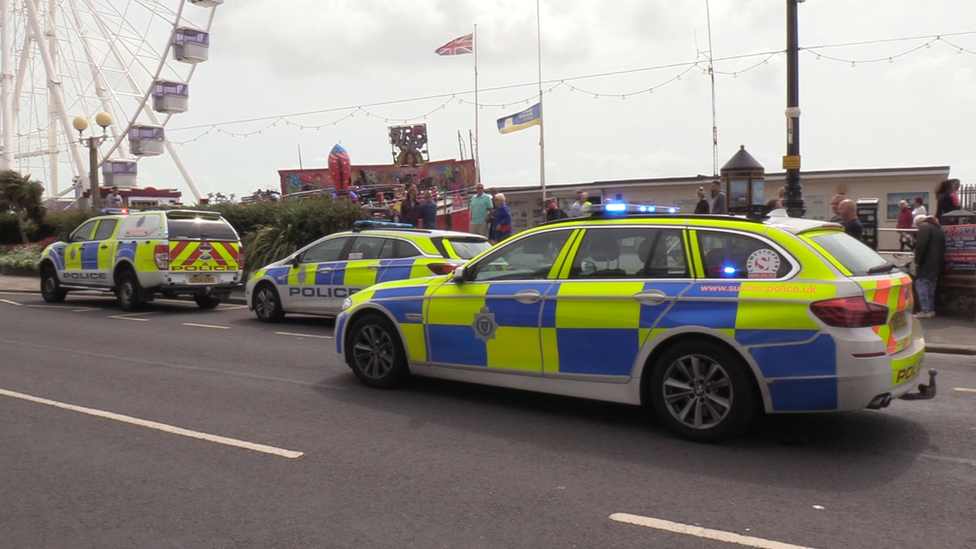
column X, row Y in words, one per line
column 943, row 334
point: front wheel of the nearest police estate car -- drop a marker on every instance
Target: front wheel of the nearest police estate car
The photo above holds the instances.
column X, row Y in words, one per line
column 376, row 354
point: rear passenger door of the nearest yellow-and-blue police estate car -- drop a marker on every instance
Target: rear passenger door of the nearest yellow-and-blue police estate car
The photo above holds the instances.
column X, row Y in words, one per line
column 610, row 295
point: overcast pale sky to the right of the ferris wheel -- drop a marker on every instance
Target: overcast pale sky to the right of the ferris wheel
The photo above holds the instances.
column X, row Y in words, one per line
column 271, row 61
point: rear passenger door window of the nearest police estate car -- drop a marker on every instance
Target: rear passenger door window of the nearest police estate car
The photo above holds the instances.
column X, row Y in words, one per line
column 630, row 252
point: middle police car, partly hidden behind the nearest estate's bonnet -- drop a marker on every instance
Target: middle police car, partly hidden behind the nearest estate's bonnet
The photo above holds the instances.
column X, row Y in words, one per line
column 316, row 279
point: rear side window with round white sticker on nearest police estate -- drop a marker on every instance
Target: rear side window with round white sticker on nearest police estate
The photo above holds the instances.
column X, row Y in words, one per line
column 729, row 255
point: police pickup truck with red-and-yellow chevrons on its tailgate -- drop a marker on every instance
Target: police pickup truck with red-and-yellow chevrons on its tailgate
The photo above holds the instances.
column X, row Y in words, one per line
column 139, row 254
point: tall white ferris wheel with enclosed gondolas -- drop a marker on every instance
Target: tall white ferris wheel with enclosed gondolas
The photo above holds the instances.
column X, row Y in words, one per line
column 62, row 59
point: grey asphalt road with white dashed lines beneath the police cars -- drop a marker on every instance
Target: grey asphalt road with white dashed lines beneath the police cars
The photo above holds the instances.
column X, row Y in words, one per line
column 178, row 427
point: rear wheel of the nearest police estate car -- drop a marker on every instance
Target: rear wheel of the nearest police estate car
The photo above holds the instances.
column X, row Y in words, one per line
column 702, row 391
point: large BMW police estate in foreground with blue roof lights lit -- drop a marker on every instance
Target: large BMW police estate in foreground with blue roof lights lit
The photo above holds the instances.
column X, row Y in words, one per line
column 706, row 320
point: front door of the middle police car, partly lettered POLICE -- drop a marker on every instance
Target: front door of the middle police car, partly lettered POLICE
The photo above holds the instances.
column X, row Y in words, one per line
column 309, row 284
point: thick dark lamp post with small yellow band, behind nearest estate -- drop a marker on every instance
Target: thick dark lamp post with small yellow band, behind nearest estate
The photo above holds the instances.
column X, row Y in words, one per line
column 794, row 190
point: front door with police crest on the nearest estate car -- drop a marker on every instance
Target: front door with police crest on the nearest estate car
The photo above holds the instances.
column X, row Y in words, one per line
column 488, row 316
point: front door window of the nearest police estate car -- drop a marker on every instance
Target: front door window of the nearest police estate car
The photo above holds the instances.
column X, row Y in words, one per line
column 528, row 258
